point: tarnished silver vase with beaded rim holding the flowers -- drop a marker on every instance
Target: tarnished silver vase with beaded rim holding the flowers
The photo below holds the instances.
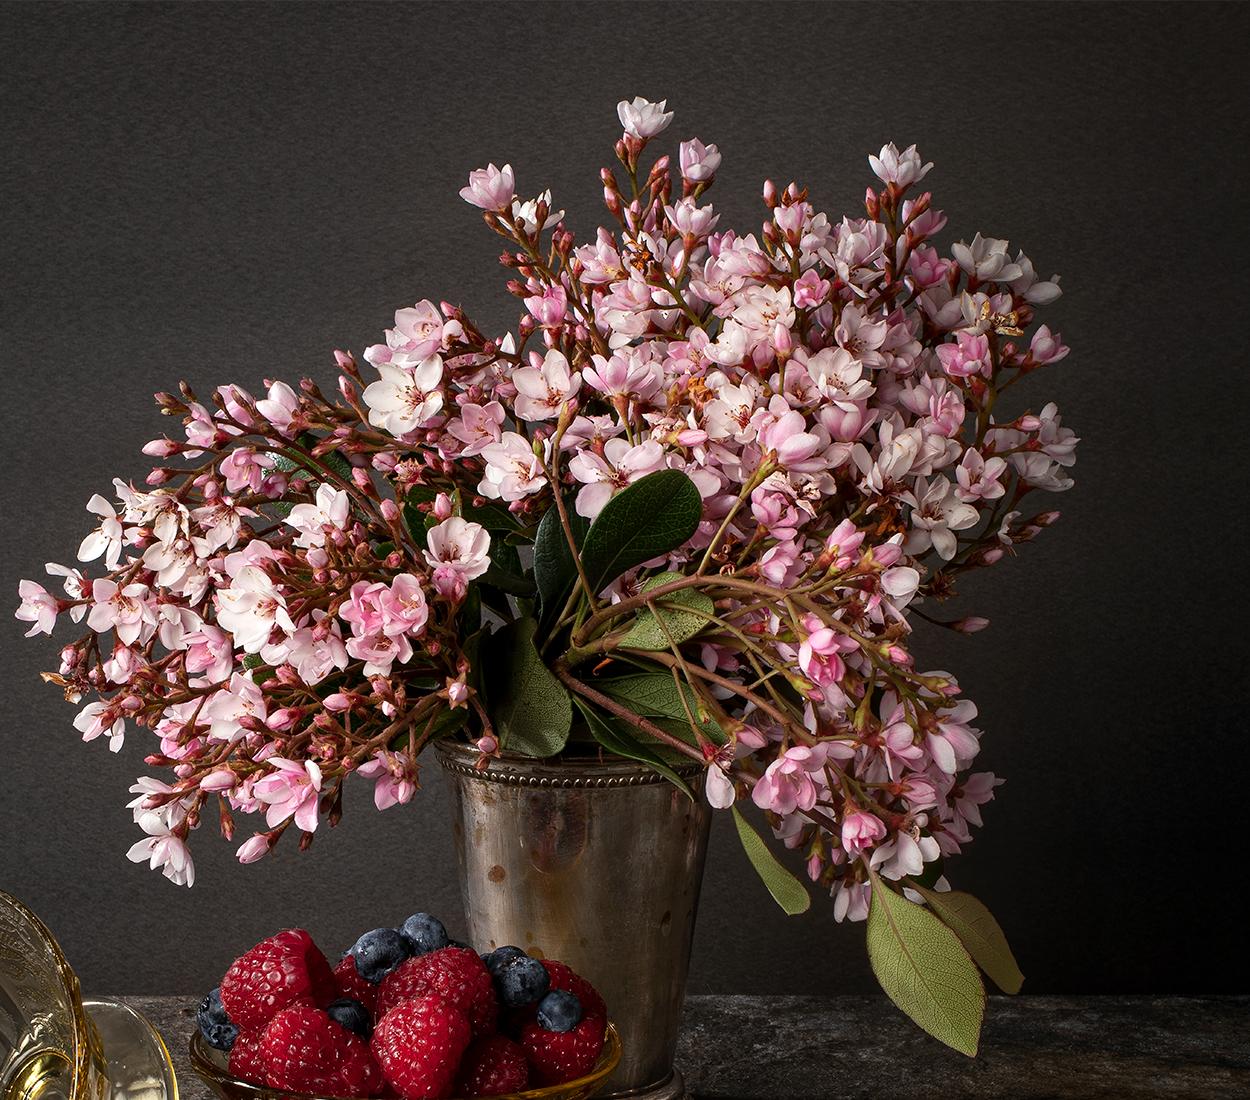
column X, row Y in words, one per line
column 598, row 866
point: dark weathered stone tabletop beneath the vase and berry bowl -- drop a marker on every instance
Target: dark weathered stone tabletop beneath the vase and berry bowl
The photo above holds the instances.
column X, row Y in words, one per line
column 804, row 1048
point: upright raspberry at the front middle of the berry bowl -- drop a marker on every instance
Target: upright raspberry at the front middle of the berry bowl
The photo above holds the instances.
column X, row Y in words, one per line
column 419, row 1044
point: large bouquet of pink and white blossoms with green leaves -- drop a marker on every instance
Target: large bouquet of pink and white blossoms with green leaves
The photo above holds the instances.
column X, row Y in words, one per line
column 684, row 513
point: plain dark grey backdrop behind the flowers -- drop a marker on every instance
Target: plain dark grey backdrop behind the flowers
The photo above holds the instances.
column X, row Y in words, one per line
column 223, row 193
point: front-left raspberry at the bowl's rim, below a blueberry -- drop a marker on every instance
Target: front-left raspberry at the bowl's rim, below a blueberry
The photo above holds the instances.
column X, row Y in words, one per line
column 303, row 1049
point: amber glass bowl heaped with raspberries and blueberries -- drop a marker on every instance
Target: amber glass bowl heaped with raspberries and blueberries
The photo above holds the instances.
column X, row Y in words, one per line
column 407, row 1013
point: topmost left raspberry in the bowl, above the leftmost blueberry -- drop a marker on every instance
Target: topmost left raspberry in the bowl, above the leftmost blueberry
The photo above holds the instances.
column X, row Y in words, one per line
column 273, row 976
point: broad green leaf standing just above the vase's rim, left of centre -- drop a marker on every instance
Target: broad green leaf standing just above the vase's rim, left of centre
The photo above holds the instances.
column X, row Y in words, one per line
column 529, row 707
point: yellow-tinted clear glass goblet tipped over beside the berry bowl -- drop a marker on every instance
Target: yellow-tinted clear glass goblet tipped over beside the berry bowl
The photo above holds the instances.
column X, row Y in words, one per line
column 57, row 1047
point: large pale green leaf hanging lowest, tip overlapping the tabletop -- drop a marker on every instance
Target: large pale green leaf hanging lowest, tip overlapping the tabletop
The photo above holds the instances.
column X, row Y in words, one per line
column 924, row 969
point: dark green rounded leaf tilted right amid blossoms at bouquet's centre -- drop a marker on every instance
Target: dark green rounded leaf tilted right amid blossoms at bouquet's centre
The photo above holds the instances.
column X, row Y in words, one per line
column 648, row 519
